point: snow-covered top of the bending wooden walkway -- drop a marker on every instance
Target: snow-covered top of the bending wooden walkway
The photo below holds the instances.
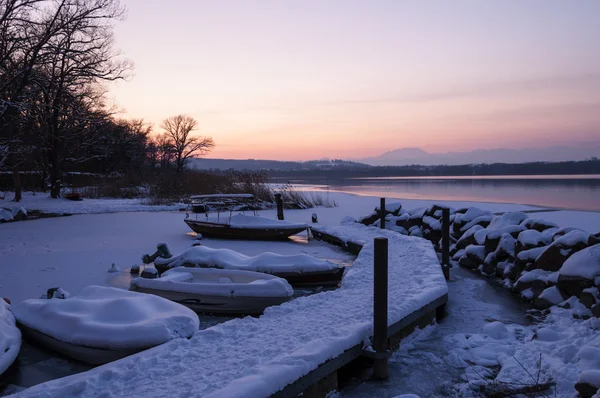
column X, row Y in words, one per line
column 256, row 357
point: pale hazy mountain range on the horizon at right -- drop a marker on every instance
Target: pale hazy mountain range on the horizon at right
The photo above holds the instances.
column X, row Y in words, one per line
column 416, row 156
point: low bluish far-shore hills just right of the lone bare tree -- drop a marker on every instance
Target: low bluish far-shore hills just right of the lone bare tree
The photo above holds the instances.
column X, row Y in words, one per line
column 258, row 164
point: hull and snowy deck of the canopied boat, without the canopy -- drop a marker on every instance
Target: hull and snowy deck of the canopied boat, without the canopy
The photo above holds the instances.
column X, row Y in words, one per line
column 241, row 226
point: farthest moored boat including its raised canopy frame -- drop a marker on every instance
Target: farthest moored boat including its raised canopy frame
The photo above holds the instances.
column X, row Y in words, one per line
column 239, row 226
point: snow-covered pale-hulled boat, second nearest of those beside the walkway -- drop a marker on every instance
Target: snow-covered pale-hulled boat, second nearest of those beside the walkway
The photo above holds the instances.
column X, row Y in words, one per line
column 217, row 291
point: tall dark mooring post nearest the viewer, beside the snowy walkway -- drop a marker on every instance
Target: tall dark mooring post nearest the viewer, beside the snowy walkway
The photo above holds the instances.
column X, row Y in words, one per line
column 380, row 313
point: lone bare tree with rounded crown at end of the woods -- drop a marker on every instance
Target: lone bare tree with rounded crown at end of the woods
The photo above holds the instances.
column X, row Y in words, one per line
column 179, row 128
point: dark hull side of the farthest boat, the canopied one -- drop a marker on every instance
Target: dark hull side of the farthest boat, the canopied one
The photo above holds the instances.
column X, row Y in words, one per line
column 226, row 231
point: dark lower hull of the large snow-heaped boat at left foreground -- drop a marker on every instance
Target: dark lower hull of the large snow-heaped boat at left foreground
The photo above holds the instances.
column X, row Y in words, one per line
column 89, row 355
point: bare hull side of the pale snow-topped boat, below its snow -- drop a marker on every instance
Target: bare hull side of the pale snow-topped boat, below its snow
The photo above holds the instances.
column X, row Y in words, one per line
column 210, row 304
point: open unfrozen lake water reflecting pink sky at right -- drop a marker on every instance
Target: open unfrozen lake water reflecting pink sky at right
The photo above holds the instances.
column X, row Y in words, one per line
column 575, row 192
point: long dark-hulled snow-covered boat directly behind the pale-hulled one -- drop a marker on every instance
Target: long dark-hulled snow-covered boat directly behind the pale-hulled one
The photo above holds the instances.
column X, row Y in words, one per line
column 300, row 270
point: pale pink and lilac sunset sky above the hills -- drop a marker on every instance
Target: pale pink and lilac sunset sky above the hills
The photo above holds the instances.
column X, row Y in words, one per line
column 308, row 79
